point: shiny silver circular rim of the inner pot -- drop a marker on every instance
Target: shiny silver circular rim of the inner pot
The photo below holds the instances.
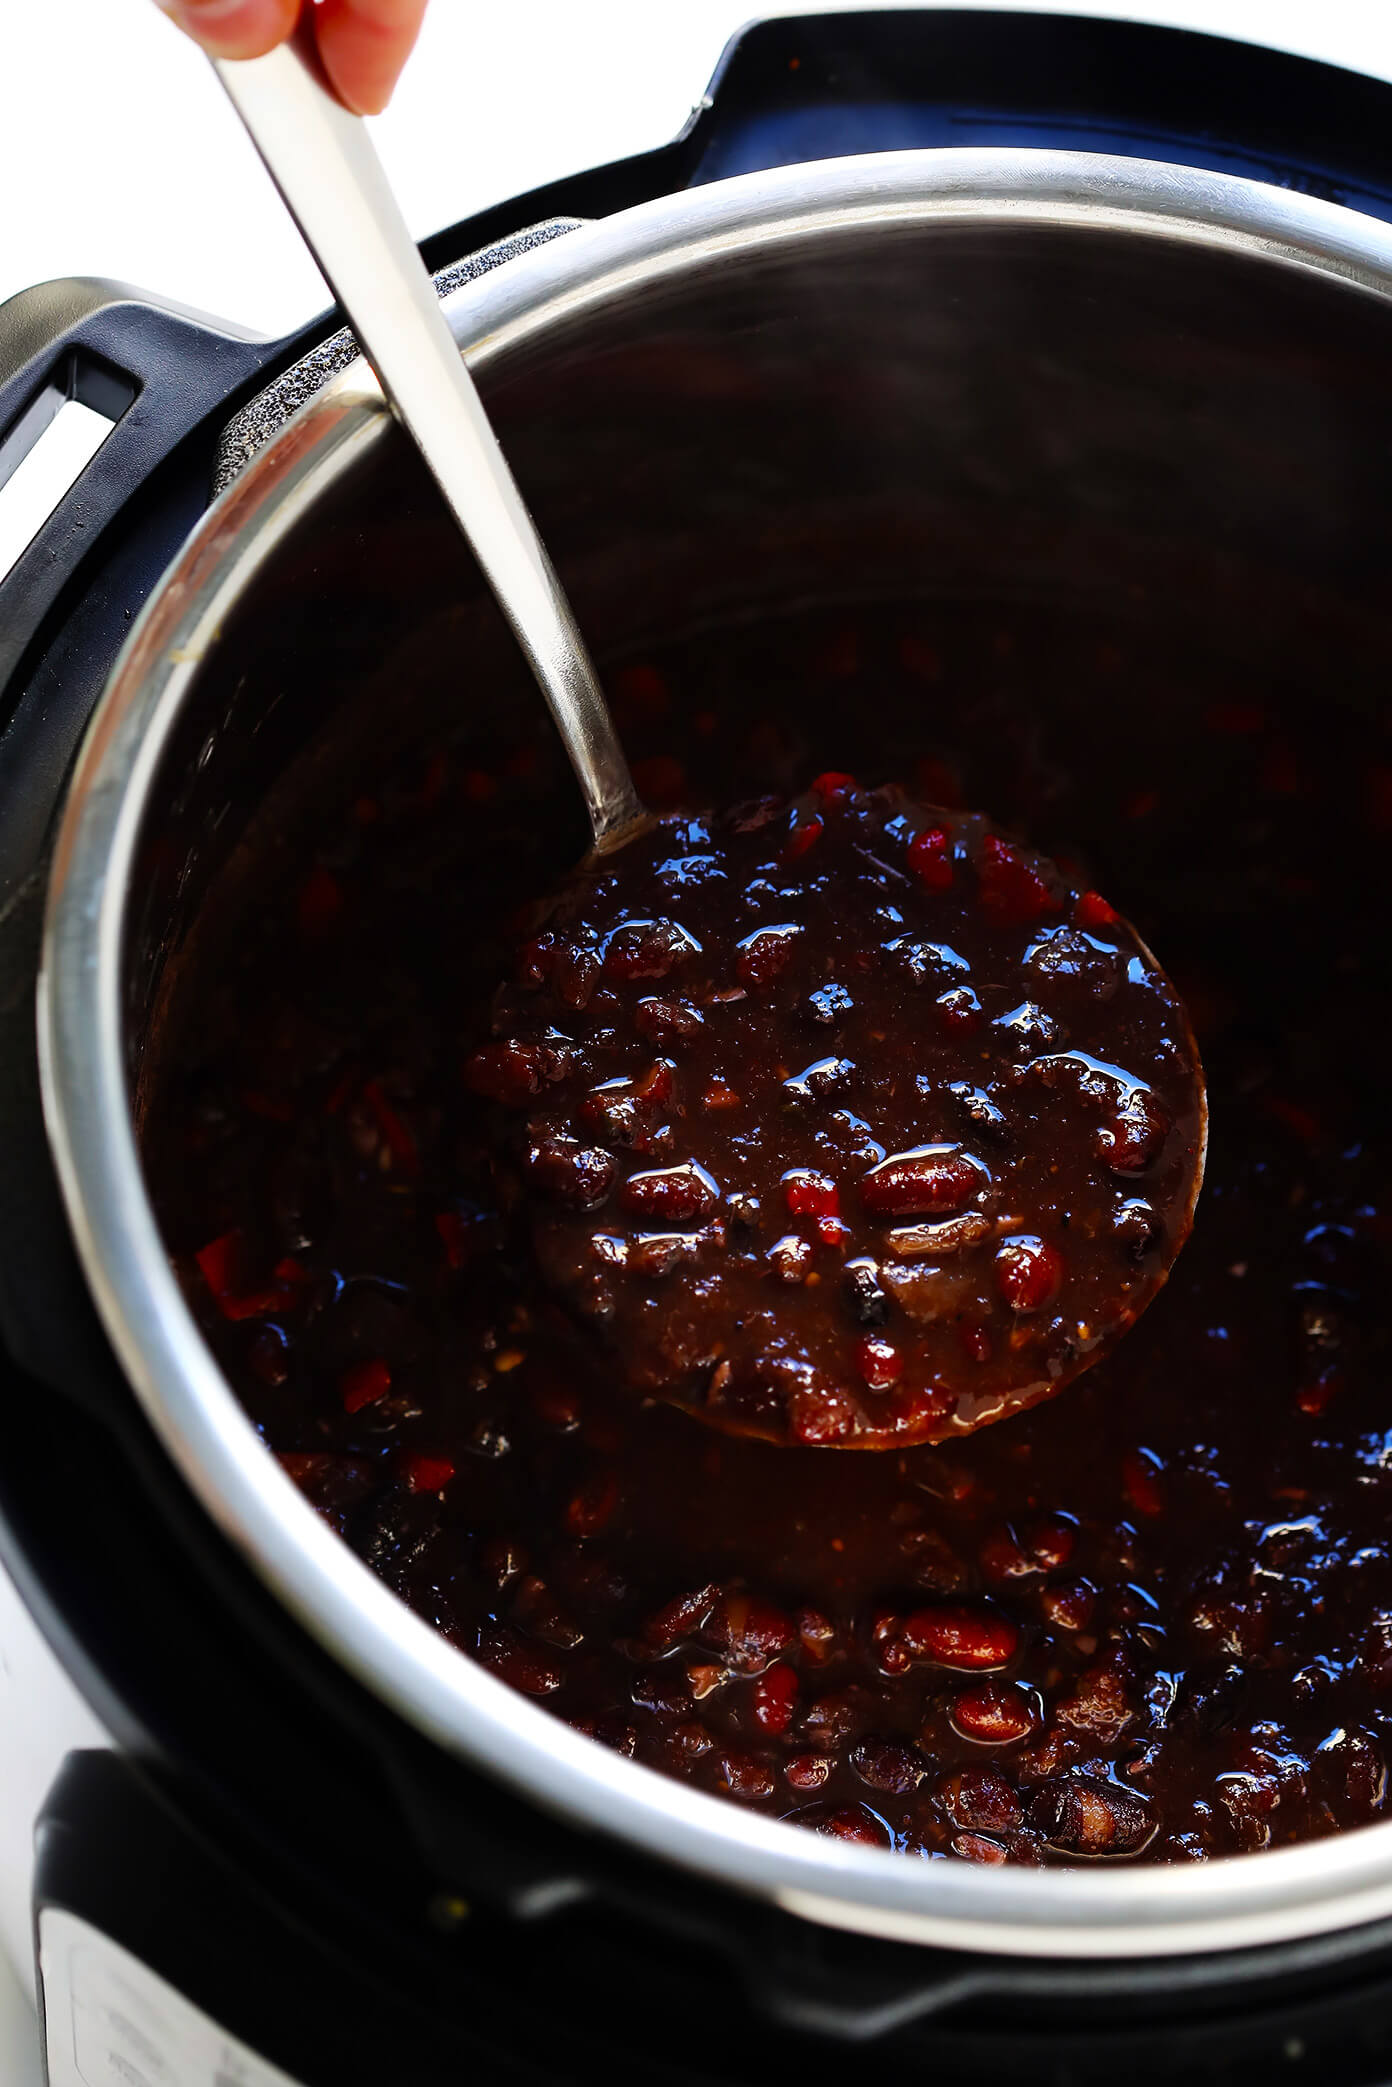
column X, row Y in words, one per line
column 1080, row 1913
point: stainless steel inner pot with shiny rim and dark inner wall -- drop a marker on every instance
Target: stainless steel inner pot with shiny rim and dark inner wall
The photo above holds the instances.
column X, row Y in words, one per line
column 992, row 375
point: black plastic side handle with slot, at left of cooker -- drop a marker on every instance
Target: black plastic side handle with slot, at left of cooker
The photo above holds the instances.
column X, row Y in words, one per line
column 153, row 370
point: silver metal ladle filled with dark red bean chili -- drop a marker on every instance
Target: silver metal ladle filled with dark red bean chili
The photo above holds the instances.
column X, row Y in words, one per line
column 692, row 1310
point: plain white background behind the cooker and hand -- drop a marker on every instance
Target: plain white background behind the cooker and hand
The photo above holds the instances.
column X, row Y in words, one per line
column 120, row 158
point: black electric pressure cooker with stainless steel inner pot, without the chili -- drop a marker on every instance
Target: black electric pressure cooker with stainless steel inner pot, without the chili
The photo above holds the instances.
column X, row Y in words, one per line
column 919, row 302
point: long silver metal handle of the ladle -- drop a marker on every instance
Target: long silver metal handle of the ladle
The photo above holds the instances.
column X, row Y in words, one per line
column 337, row 191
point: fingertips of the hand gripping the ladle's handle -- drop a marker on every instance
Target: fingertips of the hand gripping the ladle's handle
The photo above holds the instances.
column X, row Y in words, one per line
column 362, row 43
